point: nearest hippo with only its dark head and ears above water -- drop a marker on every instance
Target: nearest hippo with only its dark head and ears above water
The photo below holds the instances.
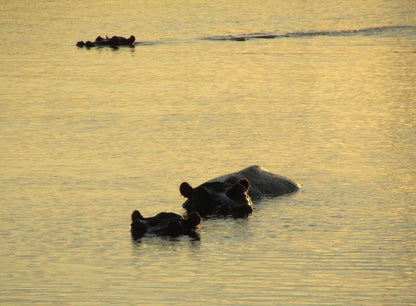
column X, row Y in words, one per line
column 164, row 224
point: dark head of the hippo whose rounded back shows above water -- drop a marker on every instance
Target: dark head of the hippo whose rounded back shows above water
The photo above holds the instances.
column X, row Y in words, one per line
column 218, row 198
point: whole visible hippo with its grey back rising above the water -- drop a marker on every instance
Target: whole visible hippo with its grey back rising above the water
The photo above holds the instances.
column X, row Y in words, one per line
column 232, row 194
